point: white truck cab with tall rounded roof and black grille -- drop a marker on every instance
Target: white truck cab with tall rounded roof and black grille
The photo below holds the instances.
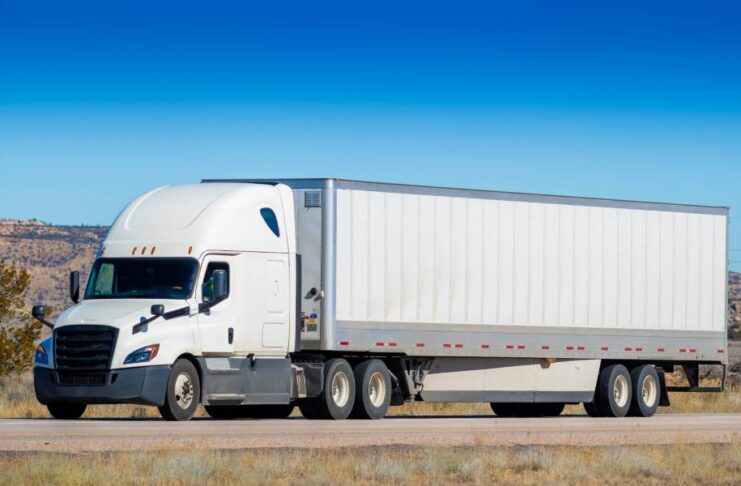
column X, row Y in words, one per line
column 150, row 302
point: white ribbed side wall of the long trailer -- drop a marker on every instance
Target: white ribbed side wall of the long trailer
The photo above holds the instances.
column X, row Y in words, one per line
column 456, row 262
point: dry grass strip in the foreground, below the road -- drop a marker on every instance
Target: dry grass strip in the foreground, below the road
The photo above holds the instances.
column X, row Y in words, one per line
column 678, row 464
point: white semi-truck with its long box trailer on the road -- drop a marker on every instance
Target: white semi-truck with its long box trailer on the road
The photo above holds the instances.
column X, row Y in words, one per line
column 343, row 298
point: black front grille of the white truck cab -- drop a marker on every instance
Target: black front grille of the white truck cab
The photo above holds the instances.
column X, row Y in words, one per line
column 84, row 347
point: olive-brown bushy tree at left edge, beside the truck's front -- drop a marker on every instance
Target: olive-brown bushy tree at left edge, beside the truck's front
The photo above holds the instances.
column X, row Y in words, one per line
column 18, row 333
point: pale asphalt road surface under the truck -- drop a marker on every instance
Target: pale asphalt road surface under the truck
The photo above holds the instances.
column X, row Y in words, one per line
column 152, row 434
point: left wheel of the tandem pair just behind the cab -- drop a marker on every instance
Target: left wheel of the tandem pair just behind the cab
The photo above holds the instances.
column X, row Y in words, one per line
column 338, row 396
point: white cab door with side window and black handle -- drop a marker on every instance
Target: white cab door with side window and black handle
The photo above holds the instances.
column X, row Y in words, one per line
column 216, row 325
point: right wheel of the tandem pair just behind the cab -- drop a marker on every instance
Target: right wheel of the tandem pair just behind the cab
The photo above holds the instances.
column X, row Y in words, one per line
column 373, row 393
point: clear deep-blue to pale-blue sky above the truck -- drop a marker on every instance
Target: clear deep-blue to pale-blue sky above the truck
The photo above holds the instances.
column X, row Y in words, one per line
column 100, row 101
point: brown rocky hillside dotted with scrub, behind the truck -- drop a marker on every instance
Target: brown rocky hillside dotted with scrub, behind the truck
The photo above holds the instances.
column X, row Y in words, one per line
column 50, row 252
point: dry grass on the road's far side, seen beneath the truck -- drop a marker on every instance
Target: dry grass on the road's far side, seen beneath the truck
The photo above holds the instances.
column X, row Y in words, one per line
column 17, row 400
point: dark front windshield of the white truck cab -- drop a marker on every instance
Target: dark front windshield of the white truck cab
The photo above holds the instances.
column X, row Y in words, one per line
column 142, row 278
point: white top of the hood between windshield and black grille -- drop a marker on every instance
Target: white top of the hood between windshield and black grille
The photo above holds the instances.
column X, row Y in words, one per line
column 113, row 312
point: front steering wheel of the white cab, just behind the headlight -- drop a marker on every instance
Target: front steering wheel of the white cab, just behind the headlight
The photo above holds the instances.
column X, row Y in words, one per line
column 183, row 392
